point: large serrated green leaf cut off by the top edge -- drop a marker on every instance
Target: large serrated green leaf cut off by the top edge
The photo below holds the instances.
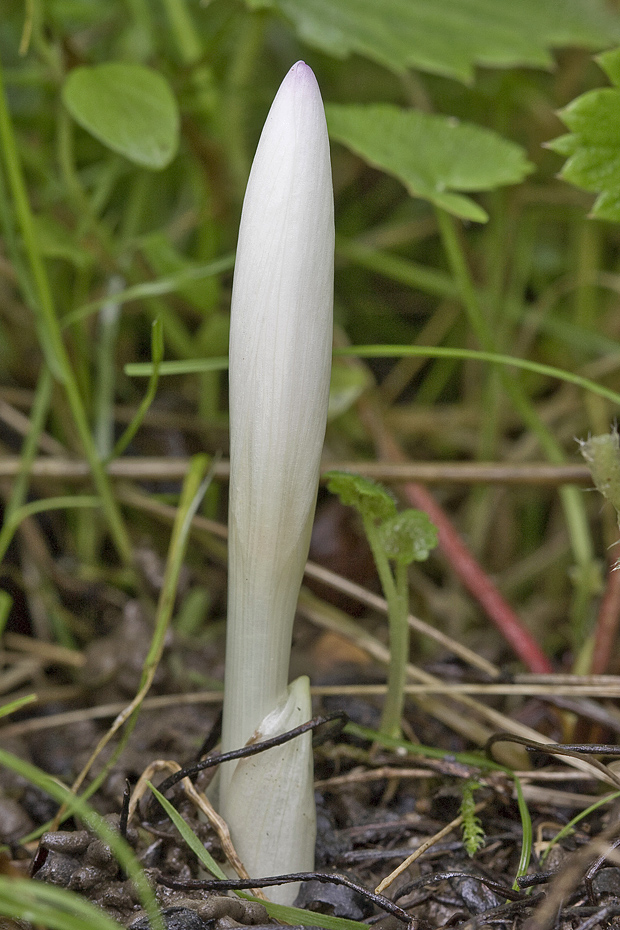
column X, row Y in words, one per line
column 450, row 37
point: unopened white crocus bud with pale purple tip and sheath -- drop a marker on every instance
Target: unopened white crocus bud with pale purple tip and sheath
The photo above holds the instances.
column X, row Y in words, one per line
column 280, row 357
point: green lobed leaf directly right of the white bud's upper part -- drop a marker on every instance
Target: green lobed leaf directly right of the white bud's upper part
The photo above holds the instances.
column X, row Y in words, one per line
column 433, row 156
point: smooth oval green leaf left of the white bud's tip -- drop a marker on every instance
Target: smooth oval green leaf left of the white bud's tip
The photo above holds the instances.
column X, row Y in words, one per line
column 128, row 107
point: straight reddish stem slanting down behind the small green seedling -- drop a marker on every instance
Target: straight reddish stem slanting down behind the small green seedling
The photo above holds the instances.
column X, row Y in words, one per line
column 471, row 574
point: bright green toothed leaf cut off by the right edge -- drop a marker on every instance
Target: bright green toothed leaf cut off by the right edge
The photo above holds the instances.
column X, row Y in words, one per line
column 592, row 147
